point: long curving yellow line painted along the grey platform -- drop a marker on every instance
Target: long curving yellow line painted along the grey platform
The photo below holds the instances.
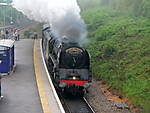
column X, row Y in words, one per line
column 41, row 90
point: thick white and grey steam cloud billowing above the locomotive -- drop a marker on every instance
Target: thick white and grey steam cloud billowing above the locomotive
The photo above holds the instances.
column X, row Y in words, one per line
column 63, row 16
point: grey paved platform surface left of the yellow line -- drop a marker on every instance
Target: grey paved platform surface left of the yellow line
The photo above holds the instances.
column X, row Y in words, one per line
column 20, row 89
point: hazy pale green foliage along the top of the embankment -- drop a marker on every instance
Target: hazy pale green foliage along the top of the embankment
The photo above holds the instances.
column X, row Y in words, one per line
column 127, row 7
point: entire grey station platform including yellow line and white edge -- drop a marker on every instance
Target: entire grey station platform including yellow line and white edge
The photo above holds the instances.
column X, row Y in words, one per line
column 28, row 89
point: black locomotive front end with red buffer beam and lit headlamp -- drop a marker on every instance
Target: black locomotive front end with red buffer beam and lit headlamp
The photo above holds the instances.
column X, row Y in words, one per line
column 74, row 69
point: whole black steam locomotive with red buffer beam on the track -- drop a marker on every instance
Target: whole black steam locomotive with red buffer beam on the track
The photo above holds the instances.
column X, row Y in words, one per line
column 68, row 63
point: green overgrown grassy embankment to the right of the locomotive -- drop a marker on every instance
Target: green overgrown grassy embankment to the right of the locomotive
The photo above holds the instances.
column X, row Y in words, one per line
column 120, row 48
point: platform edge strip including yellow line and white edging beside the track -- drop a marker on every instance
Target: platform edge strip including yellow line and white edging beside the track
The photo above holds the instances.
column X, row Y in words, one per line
column 50, row 102
